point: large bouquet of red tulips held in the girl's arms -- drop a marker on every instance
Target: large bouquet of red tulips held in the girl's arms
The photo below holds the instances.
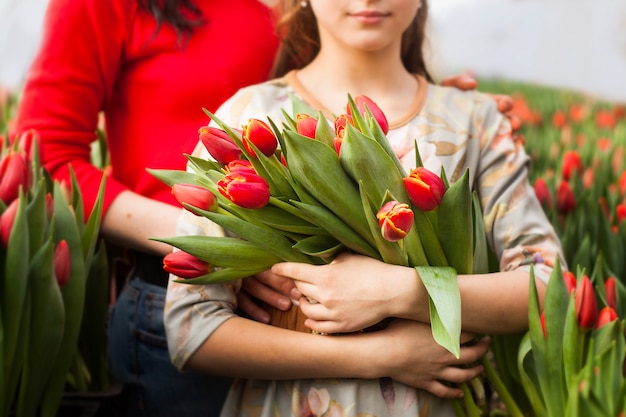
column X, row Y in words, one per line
column 330, row 187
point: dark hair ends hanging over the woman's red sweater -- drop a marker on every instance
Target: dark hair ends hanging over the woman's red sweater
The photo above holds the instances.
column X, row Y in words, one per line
column 182, row 15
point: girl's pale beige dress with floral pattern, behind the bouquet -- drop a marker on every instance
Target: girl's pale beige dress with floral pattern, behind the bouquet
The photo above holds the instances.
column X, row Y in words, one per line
column 455, row 130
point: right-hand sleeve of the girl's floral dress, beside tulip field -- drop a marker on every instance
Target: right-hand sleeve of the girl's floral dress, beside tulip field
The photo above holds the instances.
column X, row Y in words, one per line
column 517, row 227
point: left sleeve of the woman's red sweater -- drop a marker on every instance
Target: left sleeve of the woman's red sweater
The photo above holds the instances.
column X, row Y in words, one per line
column 69, row 83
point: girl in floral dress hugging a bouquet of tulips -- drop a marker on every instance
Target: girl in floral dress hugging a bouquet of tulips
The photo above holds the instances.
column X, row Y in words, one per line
column 373, row 48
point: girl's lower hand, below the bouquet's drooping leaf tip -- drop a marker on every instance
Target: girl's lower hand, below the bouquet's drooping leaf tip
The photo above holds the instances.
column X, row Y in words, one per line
column 407, row 352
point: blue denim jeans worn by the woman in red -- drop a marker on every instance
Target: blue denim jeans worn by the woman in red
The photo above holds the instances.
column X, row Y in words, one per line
column 139, row 358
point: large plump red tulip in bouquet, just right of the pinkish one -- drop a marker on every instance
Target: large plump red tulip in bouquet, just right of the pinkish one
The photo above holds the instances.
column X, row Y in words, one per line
column 245, row 189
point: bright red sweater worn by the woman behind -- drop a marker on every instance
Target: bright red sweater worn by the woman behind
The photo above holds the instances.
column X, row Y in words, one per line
column 104, row 56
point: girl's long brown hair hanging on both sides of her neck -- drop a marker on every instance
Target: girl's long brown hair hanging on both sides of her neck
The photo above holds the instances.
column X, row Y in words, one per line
column 300, row 40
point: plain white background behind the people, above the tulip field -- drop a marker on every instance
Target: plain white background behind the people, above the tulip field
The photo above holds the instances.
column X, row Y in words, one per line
column 578, row 44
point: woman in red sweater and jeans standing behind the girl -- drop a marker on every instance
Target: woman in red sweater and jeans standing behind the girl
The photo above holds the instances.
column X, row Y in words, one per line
column 149, row 67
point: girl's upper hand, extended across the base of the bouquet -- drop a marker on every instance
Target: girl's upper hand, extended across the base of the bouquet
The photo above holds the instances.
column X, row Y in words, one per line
column 354, row 292
